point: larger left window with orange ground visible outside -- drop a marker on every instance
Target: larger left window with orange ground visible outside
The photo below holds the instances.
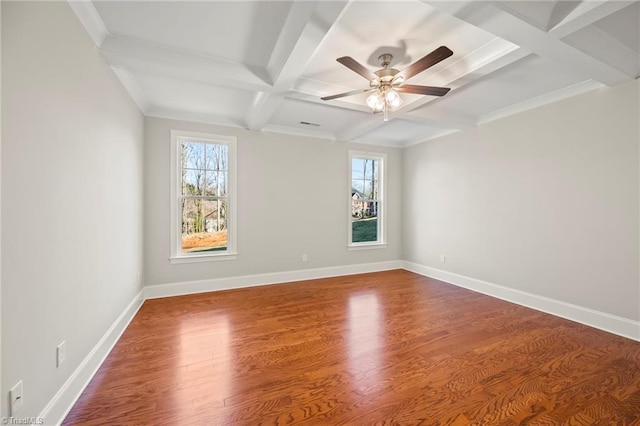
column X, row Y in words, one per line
column 203, row 225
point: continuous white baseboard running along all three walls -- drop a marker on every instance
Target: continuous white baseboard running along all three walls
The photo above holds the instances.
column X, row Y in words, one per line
column 60, row 405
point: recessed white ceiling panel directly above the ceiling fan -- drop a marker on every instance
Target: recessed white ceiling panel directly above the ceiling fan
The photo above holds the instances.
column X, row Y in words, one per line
column 407, row 30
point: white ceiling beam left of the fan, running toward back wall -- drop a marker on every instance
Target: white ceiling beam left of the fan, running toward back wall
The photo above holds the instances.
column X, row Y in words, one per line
column 324, row 15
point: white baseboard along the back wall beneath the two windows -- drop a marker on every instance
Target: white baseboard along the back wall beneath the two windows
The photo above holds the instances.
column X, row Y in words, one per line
column 203, row 286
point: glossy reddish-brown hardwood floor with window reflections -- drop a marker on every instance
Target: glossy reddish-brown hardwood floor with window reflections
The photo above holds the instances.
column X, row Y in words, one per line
column 385, row 348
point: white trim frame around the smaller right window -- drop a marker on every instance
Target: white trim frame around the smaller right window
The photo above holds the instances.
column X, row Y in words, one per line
column 382, row 213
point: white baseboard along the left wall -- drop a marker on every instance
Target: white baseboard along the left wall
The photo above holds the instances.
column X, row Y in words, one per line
column 60, row 405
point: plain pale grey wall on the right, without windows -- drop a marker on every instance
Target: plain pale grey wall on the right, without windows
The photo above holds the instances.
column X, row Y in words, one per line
column 545, row 202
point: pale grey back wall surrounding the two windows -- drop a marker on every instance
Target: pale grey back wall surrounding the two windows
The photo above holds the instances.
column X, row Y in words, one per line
column 292, row 199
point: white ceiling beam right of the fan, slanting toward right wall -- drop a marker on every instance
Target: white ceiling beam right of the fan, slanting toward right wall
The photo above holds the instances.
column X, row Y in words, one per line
column 496, row 20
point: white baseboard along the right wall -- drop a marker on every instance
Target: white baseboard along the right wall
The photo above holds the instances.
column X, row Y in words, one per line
column 600, row 320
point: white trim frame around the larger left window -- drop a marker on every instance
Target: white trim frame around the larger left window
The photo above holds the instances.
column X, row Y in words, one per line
column 176, row 255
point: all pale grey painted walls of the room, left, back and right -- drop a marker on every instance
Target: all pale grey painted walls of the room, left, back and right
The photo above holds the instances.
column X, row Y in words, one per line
column 545, row 202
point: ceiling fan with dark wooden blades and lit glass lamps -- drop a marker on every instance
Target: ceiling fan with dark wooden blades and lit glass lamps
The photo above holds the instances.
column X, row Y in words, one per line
column 385, row 83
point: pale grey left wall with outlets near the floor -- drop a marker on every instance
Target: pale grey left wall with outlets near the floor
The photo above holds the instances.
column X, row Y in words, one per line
column 71, row 197
